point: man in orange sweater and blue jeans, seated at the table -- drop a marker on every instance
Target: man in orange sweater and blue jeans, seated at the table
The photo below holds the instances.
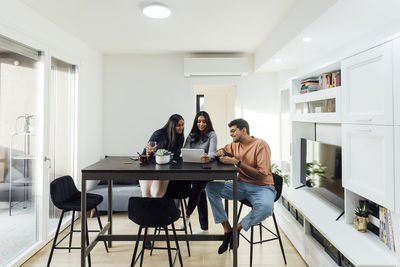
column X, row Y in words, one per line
column 252, row 157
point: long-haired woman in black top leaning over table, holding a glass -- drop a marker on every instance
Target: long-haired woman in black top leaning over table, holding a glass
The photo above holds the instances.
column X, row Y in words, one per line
column 169, row 137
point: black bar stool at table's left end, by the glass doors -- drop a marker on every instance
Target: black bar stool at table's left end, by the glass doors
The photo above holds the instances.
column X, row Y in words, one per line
column 67, row 197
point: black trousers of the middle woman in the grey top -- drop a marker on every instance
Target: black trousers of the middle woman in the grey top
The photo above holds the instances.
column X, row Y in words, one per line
column 198, row 198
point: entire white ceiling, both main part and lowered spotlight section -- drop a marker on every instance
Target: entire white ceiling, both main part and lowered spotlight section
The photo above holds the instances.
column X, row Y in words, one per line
column 269, row 29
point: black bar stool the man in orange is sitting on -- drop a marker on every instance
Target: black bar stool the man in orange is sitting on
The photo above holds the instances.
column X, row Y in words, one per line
column 278, row 187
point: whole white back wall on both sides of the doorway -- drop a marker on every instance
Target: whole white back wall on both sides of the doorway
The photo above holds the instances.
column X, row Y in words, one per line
column 142, row 91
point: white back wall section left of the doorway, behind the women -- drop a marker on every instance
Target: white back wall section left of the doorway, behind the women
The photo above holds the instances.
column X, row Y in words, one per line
column 140, row 93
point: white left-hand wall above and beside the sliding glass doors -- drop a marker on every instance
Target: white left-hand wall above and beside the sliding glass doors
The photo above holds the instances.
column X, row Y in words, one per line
column 20, row 23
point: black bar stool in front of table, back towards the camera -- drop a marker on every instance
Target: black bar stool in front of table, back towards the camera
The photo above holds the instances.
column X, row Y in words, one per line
column 154, row 213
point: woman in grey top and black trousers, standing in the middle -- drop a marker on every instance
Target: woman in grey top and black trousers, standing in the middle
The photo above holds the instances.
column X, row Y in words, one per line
column 202, row 136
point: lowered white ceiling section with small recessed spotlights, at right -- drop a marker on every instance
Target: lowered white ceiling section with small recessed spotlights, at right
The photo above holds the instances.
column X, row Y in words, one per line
column 345, row 28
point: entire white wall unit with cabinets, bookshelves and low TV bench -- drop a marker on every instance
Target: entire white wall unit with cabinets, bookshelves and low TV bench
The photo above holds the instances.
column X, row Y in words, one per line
column 367, row 102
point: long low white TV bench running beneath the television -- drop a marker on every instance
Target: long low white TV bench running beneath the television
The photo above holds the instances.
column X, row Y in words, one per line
column 362, row 249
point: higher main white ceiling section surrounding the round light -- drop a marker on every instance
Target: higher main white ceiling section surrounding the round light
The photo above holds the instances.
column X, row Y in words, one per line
column 118, row 26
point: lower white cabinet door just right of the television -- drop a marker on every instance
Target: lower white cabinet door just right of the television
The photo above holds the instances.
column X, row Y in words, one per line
column 368, row 164
